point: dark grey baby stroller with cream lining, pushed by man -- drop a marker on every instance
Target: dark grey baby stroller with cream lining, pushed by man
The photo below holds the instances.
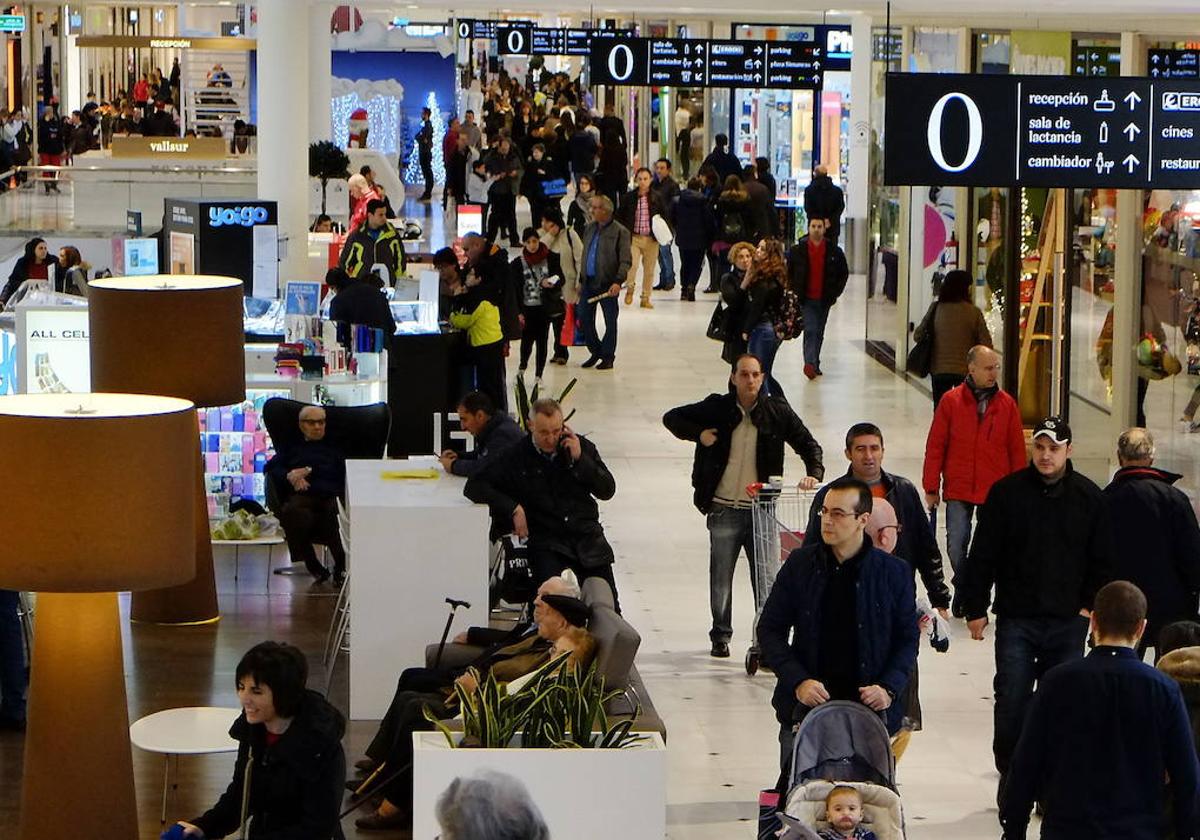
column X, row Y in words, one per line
column 843, row 743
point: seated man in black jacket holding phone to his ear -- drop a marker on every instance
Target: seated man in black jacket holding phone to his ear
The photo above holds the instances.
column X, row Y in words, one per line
column 548, row 484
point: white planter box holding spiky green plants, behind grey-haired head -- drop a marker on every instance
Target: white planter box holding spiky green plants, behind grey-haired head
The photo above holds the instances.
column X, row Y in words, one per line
column 584, row 795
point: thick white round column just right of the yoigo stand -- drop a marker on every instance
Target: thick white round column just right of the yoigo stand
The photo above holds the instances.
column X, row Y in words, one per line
column 284, row 128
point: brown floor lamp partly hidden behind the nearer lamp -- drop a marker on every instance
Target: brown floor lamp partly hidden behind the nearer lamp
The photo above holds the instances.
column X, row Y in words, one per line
column 181, row 337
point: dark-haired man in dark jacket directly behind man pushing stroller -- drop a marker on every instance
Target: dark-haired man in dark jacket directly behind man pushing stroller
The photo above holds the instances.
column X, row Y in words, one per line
column 915, row 544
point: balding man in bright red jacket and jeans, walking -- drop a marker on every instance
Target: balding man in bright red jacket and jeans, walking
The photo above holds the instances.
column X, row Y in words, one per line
column 976, row 440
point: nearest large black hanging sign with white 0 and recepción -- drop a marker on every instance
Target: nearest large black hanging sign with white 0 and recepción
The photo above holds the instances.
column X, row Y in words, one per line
column 1046, row 131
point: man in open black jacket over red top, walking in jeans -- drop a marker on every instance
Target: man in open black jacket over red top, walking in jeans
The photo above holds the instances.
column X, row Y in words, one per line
column 819, row 272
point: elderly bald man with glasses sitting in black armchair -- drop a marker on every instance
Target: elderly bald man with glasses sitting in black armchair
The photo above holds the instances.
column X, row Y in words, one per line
column 316, row 473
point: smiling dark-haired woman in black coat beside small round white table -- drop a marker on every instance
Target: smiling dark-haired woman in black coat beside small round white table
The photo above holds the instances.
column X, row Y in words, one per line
column 293, row 741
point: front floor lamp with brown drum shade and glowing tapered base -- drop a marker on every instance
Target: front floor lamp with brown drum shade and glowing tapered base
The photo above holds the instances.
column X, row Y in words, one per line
column 79, row 532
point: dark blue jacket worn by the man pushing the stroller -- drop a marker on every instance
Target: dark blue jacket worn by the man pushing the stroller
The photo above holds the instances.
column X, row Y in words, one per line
column 887, row 626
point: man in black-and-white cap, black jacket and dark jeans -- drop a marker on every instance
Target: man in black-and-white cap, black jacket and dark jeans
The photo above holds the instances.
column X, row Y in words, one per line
column 1045, row 541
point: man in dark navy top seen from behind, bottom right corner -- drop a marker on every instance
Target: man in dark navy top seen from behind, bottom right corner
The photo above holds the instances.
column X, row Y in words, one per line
column 1108, row 742
